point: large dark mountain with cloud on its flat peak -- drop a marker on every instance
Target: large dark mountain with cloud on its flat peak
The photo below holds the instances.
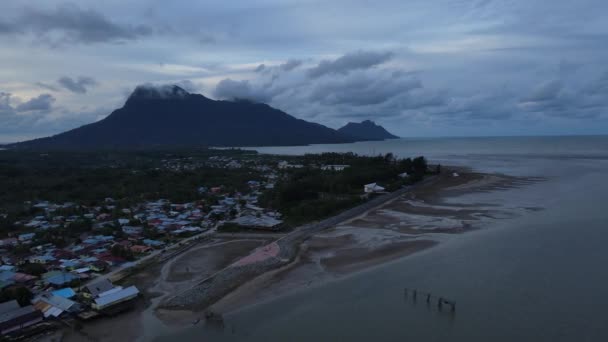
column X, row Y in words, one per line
column 170, row 116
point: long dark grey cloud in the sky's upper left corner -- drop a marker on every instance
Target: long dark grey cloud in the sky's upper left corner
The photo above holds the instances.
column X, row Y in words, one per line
column 70, row 23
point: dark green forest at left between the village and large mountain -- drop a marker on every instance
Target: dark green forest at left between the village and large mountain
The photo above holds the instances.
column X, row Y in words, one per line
column 130, row 177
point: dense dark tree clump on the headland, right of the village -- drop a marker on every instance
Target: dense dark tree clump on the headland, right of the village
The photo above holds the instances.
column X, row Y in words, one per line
column 310, row 193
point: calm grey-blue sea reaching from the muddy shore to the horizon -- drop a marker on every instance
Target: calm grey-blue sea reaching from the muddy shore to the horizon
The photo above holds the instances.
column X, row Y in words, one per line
column 542, row 276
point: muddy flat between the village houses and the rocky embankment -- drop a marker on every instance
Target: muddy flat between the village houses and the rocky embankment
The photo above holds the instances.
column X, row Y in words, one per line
column 156, row 282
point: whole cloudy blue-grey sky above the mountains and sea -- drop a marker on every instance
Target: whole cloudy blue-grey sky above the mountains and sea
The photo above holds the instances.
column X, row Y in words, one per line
column 417, row 67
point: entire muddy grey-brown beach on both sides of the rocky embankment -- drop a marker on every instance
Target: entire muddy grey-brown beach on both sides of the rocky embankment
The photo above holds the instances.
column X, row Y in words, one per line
column 419, row 220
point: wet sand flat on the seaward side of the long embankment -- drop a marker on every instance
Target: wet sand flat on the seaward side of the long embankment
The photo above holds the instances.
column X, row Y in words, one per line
column 415, row 222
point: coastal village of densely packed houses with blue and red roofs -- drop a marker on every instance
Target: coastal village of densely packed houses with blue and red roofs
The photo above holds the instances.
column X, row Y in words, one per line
column 48, row 281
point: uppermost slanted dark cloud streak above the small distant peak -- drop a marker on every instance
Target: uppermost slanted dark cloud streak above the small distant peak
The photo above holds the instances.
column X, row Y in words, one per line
column 349, row 62
